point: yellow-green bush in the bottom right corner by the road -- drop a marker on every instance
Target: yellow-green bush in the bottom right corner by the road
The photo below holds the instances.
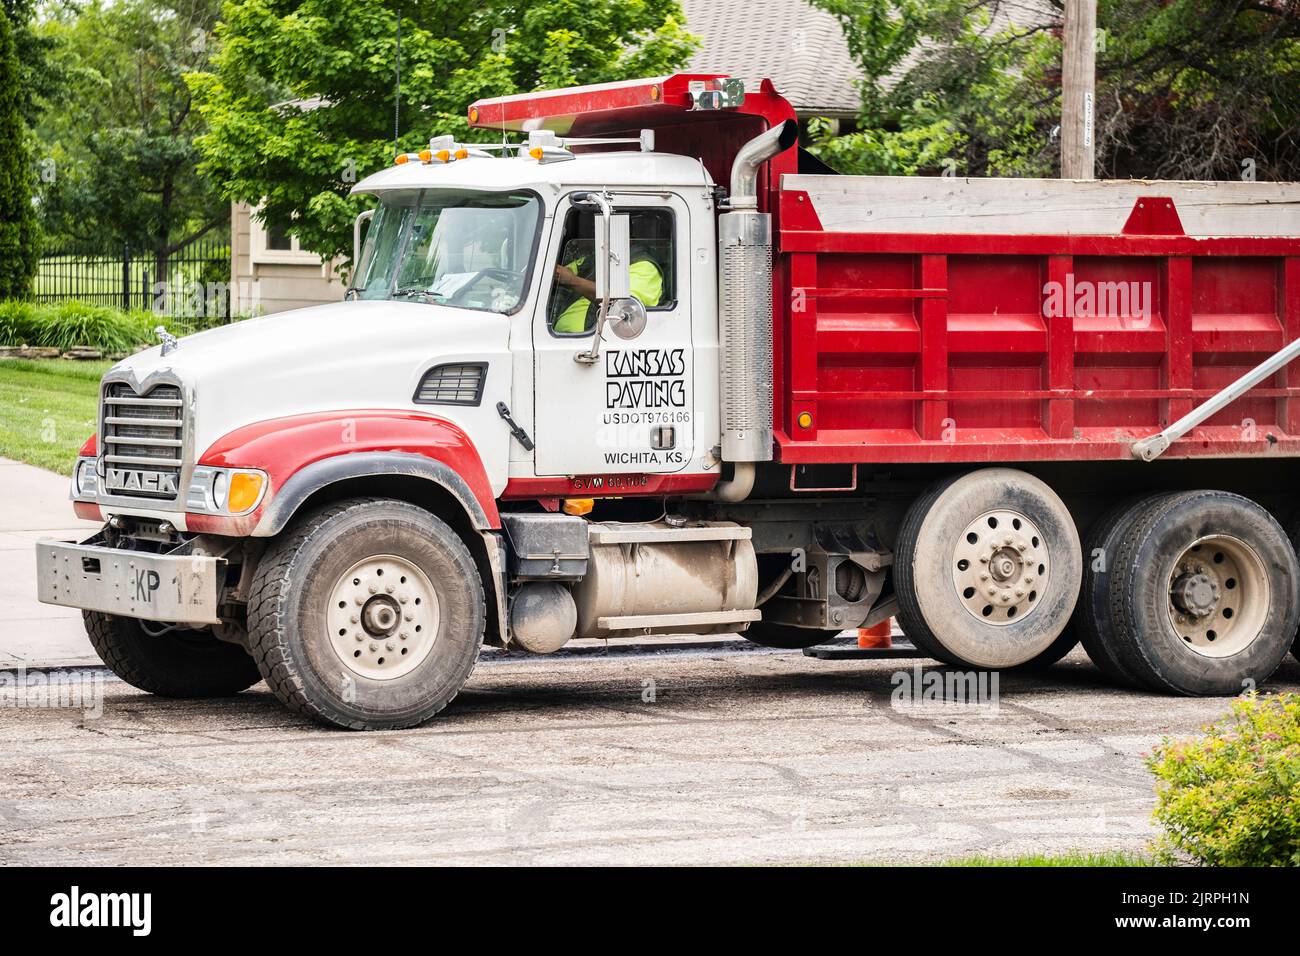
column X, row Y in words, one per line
column 1233, row 797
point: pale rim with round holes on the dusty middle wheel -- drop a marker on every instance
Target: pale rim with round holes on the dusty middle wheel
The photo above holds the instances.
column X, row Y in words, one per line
column 1000, row 568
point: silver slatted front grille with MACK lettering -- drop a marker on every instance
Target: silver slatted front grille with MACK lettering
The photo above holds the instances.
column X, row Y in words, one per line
column 144, row 440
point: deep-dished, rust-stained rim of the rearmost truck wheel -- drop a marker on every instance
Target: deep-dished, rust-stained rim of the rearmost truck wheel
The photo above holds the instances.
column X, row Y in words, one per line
column 1219, row 596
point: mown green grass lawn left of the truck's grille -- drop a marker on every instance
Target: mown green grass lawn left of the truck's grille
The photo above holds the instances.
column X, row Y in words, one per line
column 47, row 410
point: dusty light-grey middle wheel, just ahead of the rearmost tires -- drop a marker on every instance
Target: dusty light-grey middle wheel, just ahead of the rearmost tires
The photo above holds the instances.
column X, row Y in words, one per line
column 987, row 569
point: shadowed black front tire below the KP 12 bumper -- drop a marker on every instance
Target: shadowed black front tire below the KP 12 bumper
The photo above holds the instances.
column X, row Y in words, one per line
column 179, row 664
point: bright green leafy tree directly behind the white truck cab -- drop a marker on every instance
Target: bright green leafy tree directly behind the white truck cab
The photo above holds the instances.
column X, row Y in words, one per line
column 301, row 101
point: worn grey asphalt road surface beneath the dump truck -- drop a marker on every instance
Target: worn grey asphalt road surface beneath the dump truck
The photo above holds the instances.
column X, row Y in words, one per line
column 705, row 756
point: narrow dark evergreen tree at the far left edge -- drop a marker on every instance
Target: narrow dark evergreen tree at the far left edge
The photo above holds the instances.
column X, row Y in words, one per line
column 19, row 237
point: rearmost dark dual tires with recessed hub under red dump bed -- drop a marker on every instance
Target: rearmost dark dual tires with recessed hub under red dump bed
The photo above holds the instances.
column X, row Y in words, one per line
column 1203, row 594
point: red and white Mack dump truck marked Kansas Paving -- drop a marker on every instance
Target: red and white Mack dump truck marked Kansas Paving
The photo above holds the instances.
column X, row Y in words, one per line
column 644, row 367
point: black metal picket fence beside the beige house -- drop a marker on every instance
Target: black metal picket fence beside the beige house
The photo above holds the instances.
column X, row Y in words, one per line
column 193, row 288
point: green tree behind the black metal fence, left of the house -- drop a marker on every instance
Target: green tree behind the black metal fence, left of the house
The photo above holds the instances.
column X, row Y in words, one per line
column 123, row 166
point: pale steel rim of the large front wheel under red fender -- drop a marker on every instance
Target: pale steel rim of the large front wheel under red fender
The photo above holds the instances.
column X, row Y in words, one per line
column 383, row 617
